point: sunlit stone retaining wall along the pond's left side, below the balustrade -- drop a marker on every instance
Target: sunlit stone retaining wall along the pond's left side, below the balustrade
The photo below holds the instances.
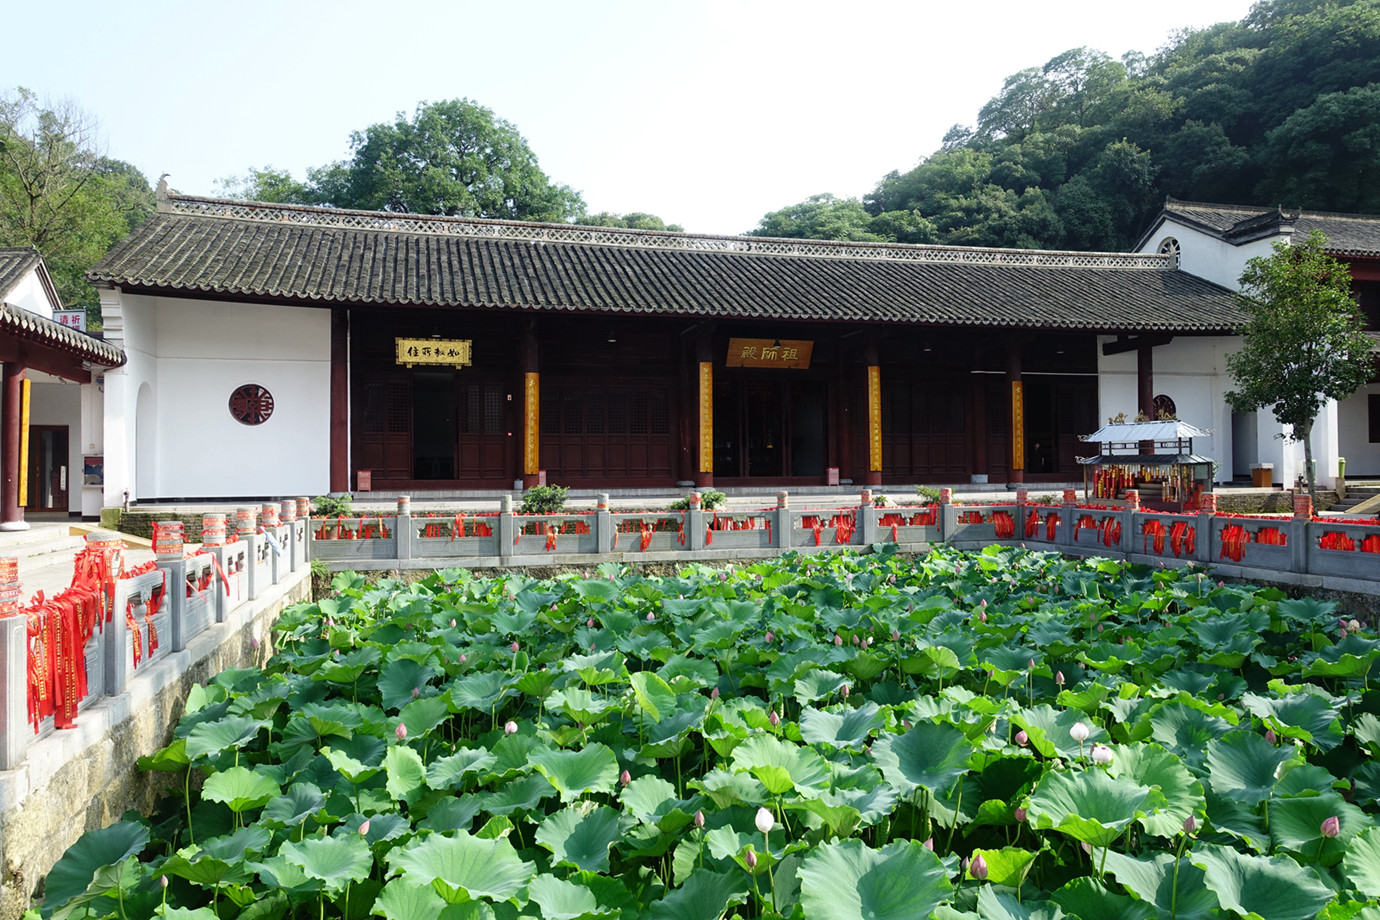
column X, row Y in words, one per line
column 86, row 777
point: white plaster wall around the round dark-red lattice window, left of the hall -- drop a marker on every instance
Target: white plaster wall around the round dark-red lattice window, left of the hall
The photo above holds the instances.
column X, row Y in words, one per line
column 206, row 350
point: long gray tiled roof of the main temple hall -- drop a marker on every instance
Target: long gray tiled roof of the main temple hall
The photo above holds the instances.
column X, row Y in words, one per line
column 325, row 256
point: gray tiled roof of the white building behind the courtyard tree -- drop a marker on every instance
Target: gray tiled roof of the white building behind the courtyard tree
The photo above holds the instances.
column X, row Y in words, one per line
column 1348, row 234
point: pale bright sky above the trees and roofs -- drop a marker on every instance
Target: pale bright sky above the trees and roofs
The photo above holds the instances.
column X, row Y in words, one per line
column 707, row 114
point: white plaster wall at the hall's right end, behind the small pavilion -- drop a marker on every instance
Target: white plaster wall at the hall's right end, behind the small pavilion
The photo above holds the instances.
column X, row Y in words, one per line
column 1192, row 372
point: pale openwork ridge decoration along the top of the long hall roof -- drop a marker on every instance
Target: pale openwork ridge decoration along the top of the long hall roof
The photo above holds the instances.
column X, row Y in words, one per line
column 543, row 234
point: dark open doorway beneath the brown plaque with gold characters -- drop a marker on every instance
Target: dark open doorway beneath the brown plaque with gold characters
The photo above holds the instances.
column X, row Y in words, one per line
column 771, row 428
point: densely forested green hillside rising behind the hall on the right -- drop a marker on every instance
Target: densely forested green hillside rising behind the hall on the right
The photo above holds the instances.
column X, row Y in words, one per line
column 1283, row 108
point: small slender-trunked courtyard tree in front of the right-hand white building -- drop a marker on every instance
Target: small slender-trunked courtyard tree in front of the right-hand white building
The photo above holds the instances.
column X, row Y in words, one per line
column 1303, row 340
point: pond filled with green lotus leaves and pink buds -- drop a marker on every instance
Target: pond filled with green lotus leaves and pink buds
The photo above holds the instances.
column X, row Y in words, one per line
column 1000, row 736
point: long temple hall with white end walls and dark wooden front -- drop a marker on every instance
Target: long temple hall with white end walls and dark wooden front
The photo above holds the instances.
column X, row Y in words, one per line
column 282, row 350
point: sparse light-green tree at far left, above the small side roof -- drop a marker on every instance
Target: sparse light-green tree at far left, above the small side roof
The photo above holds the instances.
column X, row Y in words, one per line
column 60, row 195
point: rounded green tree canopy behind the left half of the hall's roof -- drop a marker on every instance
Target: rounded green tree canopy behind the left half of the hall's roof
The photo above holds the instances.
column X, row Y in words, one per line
column 452, row 158
